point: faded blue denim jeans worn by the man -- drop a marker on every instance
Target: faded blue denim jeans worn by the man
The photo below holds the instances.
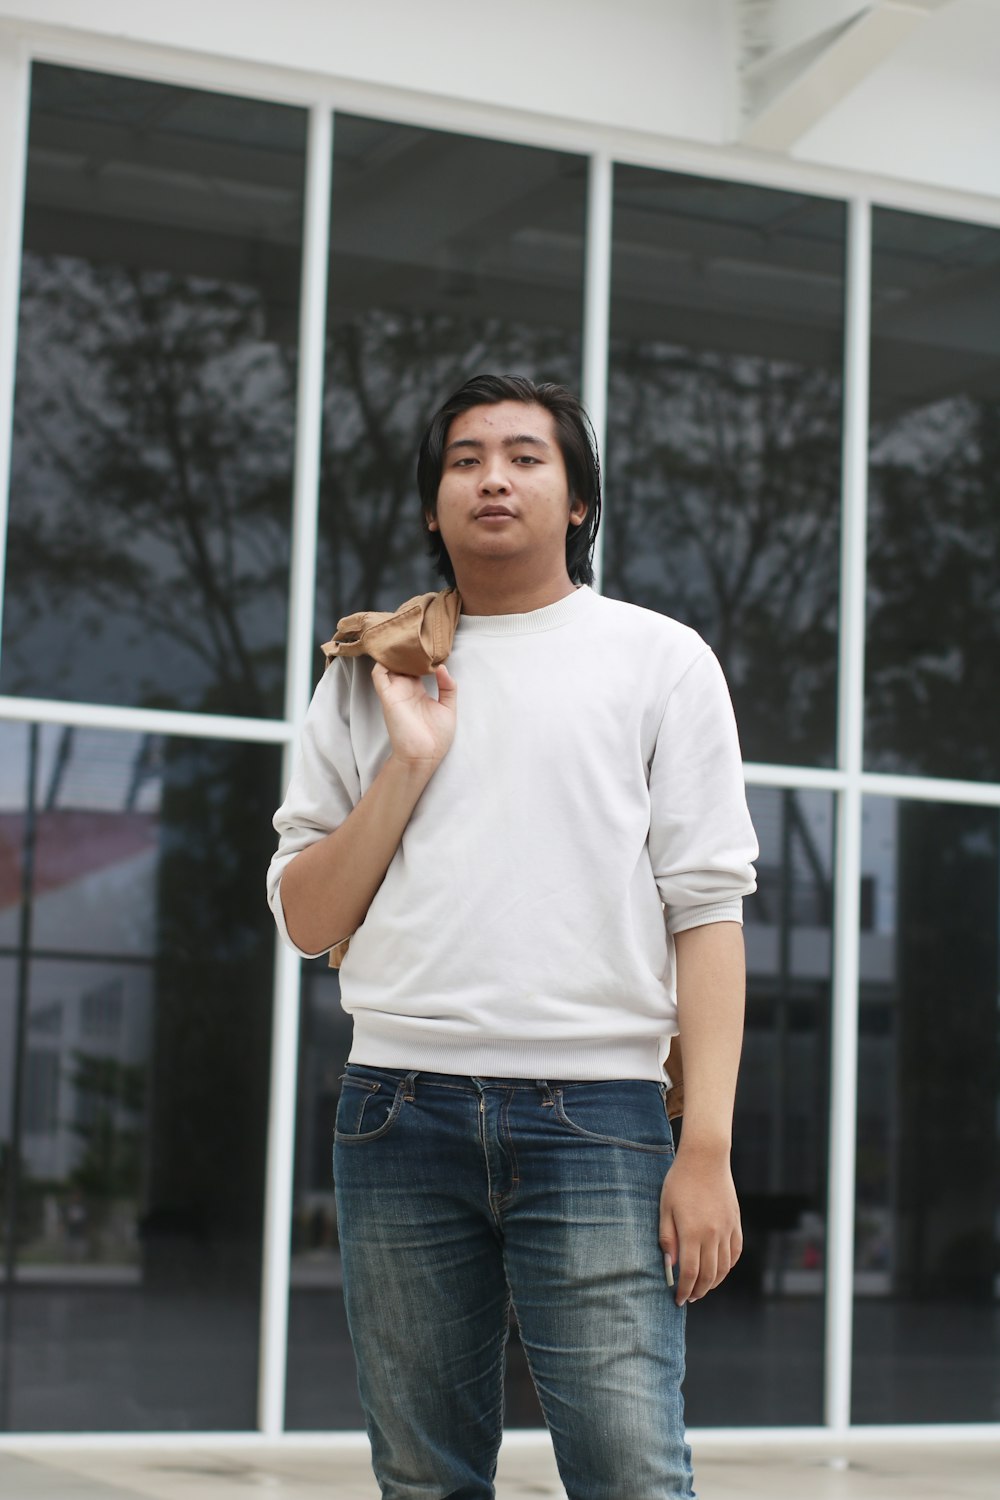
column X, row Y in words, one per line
column 457, row 1196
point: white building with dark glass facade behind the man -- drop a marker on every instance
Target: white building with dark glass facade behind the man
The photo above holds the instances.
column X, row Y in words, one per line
column 227, row 259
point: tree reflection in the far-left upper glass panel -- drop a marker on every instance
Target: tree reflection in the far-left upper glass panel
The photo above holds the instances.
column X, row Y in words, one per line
column 151, row 485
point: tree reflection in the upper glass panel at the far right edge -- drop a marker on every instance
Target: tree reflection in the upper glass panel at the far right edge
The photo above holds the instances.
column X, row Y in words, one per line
column 935, row 592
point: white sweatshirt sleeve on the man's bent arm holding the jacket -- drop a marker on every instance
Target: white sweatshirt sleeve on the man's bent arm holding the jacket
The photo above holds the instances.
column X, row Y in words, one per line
column 325, row 787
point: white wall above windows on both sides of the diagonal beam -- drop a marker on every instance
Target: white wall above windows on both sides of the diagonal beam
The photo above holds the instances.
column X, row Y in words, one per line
column 930, row 113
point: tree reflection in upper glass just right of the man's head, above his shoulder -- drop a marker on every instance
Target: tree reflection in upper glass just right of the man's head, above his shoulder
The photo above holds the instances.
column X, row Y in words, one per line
column 723, row 511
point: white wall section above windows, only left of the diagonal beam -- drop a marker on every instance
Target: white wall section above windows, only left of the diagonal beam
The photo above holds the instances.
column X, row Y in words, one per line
column 657, row 65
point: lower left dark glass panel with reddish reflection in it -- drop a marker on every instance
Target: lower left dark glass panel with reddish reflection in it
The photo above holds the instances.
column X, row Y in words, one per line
column 136, row 995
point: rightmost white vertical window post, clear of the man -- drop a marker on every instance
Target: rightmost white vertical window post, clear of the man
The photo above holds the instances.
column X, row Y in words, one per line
column 840, row 1226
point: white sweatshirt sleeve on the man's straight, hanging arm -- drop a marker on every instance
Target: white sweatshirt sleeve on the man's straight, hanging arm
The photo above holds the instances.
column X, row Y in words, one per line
column 701, row 838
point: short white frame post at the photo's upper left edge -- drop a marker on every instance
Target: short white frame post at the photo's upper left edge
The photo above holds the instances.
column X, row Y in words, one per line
column 16, row 73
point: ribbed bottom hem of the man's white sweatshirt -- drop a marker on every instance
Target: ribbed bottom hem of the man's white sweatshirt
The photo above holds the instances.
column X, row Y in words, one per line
column 389, row 1042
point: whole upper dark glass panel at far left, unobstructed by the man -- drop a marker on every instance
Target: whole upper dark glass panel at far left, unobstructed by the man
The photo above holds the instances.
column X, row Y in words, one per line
column 155, row 397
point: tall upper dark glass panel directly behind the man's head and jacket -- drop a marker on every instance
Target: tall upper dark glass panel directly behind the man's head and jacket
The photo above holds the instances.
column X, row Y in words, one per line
column 451, row 256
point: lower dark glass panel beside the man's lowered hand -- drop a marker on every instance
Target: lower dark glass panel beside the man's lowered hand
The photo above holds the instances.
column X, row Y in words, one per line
column 756, row 1343
